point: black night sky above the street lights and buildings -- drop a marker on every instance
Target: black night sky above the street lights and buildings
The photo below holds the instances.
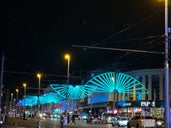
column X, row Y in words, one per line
column 41, row 32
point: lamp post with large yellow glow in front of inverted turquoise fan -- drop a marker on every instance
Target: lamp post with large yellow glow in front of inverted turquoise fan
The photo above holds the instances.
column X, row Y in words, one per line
column 67, row 57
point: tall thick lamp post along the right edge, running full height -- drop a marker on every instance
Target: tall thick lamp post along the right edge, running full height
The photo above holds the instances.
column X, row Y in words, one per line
column 167, row 99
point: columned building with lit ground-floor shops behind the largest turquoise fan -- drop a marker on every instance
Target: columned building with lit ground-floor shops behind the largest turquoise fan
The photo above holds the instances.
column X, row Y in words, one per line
column 131, row 104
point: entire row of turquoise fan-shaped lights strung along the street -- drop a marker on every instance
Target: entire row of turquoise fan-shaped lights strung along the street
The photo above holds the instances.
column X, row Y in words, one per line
column 105, row 82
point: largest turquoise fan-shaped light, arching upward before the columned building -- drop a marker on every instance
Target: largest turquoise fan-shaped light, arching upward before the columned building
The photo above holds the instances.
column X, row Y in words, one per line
column 122, row 83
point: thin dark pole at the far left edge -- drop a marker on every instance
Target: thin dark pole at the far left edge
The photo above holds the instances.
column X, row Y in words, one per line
column 1, row 85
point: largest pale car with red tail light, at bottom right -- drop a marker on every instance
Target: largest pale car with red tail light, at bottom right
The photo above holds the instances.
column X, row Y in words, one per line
column 141, row 121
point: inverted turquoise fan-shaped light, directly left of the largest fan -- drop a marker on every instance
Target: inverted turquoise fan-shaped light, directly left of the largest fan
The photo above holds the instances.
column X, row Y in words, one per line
column 74, row 92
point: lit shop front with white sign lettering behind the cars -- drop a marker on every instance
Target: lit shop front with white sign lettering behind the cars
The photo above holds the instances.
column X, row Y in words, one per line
column 144, row 107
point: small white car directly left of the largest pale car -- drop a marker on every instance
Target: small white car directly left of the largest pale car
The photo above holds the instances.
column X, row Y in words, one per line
column 120, row 121
